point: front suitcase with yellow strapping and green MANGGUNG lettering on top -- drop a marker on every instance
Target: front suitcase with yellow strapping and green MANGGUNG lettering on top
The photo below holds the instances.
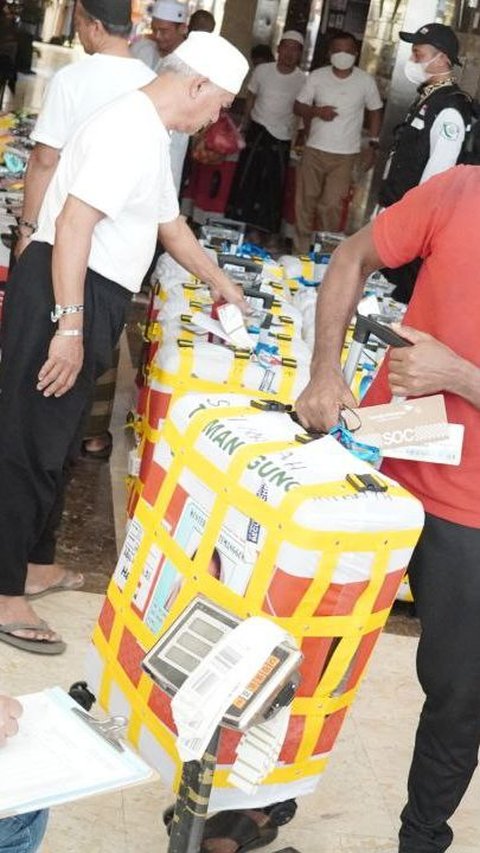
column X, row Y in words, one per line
column 234, row 506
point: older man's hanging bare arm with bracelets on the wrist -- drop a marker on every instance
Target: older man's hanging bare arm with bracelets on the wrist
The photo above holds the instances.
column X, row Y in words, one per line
column 73, row 238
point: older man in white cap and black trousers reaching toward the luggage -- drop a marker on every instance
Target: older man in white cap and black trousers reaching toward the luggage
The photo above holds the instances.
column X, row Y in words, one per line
column 65, row 305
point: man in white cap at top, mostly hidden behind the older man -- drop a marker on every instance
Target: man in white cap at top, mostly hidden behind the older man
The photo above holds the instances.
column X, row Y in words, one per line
column 168, row 31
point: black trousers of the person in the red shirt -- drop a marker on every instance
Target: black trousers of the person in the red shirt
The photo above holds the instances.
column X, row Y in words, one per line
column 445, row 577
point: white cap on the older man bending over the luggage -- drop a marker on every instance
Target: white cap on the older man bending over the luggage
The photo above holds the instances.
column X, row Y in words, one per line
column 214, row 57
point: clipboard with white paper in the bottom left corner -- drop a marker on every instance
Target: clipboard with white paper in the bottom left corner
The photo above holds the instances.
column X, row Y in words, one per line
column 59, row 756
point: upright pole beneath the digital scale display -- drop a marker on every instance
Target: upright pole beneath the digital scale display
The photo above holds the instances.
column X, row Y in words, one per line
column 191, row 808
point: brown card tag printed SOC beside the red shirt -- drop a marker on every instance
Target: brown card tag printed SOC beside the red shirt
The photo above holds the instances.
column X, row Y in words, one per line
column 402, row 423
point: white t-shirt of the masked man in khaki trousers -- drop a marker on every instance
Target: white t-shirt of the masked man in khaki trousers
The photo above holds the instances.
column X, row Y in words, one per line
column 350, row 96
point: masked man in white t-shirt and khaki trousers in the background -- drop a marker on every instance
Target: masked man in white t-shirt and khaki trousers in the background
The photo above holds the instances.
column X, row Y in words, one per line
column 333, row 101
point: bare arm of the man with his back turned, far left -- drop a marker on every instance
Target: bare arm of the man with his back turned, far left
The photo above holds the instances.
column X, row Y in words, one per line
column 41, row 165
